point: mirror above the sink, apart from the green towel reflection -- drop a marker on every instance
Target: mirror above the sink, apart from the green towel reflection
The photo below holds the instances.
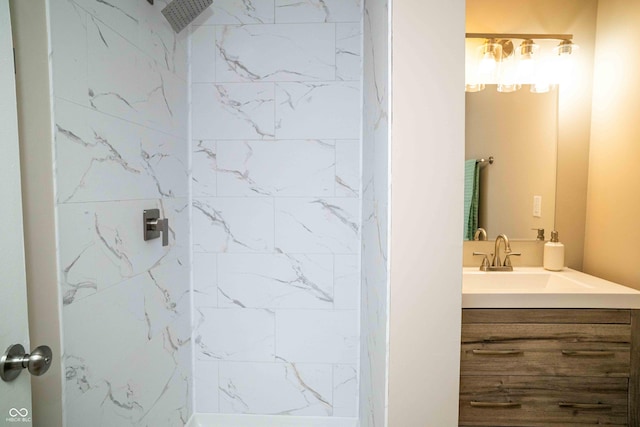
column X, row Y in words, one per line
column 520, row 131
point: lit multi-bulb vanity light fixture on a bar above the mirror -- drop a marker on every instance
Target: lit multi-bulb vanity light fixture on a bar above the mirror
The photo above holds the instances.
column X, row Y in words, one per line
column 533, row 62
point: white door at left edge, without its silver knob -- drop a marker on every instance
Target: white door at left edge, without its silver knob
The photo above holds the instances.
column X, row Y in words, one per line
column 15, row 396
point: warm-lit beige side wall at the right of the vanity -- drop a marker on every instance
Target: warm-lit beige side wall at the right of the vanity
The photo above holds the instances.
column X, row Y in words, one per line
column 613, row 227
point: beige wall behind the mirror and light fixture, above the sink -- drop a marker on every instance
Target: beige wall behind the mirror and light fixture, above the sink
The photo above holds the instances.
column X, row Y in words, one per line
column 575, row 17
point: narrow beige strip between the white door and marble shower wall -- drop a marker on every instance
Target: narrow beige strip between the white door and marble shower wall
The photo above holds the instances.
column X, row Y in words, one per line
column 34, row 119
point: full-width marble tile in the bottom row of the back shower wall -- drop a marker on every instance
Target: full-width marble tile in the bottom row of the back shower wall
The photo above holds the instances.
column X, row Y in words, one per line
column 275, row 388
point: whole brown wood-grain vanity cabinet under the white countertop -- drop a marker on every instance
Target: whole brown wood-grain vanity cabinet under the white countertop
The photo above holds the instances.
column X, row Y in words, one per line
column 550, row 367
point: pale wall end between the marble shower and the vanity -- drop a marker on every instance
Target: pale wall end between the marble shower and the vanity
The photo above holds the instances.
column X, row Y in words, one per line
column 427, row 152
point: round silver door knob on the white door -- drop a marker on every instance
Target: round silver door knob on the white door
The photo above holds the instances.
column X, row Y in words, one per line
column 15, row 359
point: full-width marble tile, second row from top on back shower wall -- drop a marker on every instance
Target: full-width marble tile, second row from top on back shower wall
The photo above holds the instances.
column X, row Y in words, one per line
column 298, row 52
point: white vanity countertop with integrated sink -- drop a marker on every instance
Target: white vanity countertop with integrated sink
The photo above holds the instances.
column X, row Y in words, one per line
column 534, row 287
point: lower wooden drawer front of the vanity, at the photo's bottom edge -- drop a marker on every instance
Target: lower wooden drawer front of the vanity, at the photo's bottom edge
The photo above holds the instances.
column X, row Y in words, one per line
column 542, row 401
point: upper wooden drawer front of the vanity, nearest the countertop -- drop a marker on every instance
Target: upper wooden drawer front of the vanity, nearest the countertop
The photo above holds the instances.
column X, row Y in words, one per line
column 546, row 349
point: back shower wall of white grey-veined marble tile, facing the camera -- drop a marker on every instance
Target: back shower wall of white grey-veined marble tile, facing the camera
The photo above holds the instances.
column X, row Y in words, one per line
column 276, row 123
